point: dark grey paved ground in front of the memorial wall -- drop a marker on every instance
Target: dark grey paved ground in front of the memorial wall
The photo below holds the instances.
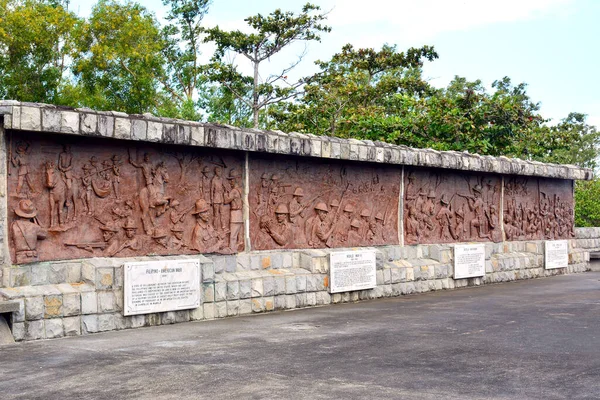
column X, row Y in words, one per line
column 537, row 339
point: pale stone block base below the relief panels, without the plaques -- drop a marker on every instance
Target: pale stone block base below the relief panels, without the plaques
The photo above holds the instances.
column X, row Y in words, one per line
column 73, row 298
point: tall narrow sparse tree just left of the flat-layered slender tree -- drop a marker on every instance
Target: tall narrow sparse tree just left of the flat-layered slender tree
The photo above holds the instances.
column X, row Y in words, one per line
column 182, row 38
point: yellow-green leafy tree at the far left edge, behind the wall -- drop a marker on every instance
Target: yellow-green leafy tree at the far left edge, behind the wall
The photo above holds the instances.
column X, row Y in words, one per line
column 35, row 41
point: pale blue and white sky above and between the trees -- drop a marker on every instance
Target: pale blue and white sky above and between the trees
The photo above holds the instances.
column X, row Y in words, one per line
column 552, row 45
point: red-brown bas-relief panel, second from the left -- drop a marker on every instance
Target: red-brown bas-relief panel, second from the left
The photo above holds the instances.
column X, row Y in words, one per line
column 299, row 203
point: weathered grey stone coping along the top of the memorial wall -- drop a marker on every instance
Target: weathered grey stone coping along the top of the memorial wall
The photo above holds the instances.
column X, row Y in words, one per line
column 111, row 124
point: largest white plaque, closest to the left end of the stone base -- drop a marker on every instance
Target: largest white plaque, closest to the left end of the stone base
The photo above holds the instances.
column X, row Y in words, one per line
column 157, row 286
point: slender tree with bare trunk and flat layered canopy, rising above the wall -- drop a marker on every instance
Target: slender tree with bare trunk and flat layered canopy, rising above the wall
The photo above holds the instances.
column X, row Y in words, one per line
column 271, row 34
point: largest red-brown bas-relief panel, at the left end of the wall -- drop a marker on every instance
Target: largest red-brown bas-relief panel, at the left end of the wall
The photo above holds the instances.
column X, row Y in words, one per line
column 80, row 197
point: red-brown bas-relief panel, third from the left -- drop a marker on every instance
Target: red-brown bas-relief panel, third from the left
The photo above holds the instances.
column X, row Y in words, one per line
column 446, row 206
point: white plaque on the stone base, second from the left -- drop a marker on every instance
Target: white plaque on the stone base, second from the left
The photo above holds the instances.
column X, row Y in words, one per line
column 352, row 270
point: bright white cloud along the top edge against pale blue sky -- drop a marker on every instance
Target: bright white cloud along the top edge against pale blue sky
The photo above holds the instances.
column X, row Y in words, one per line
column 425, row 19
